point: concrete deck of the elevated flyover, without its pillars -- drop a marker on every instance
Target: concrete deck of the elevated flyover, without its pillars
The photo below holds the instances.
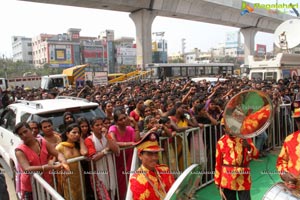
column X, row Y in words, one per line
column 209, row 11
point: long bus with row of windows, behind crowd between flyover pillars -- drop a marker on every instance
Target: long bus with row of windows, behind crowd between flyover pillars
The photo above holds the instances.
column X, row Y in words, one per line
column 177, row 70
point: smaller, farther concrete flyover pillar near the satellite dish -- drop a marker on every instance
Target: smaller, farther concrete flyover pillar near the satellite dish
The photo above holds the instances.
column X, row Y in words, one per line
column 249, row 37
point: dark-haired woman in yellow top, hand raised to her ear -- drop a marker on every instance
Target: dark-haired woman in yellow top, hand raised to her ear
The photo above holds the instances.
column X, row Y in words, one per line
column 72, row 146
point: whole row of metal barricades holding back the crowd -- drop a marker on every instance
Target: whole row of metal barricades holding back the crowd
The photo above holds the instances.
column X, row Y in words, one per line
column 194, row 146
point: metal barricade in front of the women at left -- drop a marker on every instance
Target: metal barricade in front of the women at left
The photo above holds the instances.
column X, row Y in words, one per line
column 42, row 190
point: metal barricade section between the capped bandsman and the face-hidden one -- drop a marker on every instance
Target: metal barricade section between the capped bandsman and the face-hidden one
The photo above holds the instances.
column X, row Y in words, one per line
column 198, row 147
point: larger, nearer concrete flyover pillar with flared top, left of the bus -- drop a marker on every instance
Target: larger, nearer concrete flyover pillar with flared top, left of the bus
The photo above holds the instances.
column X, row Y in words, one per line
column 143, row 22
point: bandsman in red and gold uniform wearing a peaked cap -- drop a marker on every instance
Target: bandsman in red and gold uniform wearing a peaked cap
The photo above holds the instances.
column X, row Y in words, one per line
column 151, row 181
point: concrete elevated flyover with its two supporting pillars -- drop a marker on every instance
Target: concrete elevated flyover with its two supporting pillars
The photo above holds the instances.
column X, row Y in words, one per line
column 222, row 12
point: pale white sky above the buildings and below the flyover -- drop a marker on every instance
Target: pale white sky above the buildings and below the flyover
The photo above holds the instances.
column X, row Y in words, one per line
column 29, row 19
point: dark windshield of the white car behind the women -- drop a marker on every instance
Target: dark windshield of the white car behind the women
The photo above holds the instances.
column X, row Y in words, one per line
column 57, row 117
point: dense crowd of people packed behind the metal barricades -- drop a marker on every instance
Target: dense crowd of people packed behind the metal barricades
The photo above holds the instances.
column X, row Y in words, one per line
column 133, row 110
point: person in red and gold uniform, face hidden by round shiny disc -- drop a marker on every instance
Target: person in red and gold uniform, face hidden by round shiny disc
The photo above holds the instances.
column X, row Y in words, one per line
column 232, row 171
